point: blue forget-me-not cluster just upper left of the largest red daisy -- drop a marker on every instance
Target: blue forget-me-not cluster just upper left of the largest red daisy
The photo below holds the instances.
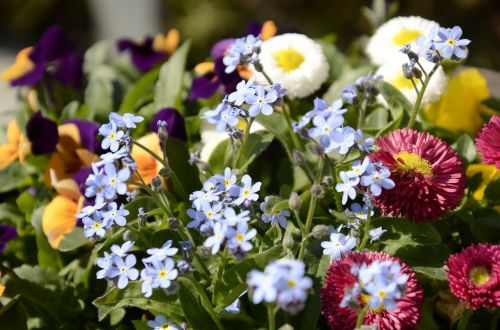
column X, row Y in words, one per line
column 328, row 130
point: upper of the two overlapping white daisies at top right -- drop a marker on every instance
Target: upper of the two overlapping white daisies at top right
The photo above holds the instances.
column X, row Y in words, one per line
column 394, row 34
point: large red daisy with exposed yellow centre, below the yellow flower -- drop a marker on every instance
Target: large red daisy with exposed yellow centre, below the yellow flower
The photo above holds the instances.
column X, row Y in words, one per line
column 428, row 174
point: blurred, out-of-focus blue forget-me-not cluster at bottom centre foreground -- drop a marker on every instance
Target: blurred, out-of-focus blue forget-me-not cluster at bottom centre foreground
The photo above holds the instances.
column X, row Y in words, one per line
column 283, row 282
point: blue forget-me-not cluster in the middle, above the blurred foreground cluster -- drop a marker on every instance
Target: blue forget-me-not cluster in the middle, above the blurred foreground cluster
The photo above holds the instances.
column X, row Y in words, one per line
column 215, row 214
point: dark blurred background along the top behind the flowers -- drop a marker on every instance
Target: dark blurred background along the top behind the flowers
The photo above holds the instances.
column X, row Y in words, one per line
column 205, row 21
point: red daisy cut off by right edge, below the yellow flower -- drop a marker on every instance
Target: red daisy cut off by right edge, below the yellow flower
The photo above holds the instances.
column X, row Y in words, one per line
column 488, row 142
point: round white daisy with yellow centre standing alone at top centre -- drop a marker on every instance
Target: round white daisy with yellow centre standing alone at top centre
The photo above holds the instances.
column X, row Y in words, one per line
column 295, row 61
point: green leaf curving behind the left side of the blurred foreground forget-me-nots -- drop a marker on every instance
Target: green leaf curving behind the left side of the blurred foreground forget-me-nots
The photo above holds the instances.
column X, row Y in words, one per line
column 233, row 281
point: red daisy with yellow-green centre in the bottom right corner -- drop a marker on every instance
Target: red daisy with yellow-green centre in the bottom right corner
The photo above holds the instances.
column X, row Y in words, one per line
column 474, row 275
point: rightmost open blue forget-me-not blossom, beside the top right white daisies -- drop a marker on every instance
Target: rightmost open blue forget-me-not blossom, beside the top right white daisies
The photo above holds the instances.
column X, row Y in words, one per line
column 450, row 45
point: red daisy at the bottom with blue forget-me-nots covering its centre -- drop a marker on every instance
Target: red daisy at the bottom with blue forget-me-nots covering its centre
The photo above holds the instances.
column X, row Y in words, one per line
column 339, row 277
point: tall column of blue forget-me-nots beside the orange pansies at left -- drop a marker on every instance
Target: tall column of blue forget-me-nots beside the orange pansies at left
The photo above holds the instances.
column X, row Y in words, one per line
column 107, row 180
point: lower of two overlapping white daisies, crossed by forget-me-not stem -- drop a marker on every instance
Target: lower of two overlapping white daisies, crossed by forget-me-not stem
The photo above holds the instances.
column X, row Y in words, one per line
column 392, row 73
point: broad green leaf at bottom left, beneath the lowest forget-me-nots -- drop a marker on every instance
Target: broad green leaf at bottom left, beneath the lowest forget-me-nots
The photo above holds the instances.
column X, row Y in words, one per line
column 131, row 296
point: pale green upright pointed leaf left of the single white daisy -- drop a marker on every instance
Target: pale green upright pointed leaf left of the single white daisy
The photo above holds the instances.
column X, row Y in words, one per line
column 169, row 85
